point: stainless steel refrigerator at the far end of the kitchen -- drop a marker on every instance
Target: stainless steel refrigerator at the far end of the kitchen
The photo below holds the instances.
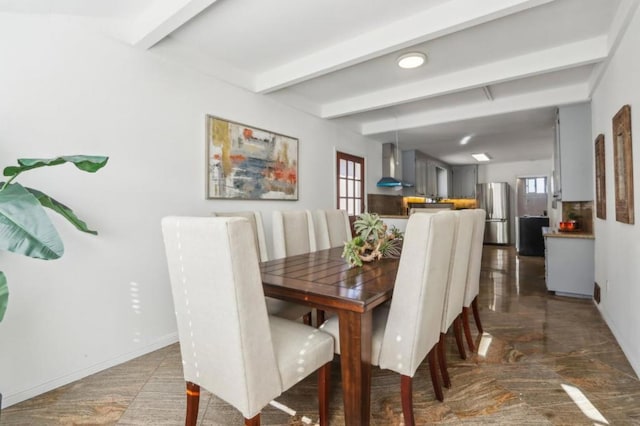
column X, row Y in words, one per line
column 494, row 199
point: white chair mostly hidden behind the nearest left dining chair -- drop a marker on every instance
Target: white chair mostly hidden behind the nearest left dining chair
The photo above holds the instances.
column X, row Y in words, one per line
column 276, row 307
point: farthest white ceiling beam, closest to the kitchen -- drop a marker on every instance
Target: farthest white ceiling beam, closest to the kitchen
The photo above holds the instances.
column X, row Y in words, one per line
column 533, row 100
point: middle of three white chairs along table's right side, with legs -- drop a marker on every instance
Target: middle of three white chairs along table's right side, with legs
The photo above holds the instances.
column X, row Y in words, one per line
column 454, row 296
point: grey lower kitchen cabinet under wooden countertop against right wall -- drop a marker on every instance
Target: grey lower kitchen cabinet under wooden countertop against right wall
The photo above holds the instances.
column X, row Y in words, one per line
column 569, row 264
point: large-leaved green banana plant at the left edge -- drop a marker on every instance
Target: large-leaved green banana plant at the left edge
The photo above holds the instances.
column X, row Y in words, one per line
column 25, row 227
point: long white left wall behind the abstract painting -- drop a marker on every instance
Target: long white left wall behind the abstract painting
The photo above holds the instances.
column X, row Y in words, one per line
column 66, row 90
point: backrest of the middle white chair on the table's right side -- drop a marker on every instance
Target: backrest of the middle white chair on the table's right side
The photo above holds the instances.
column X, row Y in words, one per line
column 454, row 297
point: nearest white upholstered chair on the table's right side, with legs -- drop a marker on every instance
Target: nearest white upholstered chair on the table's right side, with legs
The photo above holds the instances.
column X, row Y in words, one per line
column 408, row 331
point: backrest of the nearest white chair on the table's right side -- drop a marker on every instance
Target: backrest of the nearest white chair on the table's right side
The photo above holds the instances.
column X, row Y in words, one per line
column 413, row 325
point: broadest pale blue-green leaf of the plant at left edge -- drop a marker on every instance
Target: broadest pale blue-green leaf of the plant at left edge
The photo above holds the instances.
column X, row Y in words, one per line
column 25, row 227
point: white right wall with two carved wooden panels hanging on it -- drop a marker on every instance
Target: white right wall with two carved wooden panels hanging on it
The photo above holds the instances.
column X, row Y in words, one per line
column 618, row 244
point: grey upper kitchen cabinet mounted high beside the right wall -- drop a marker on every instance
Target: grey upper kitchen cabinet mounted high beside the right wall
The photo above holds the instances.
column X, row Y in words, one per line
column 572, row 178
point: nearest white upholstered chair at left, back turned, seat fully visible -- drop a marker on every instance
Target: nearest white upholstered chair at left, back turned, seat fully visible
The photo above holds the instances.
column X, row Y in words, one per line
column 229, row 345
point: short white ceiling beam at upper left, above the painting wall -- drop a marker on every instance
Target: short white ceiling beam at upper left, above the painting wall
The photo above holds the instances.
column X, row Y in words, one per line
column 162, row 18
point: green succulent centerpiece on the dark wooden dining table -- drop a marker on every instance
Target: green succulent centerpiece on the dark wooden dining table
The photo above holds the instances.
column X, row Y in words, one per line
column 373, row 241
